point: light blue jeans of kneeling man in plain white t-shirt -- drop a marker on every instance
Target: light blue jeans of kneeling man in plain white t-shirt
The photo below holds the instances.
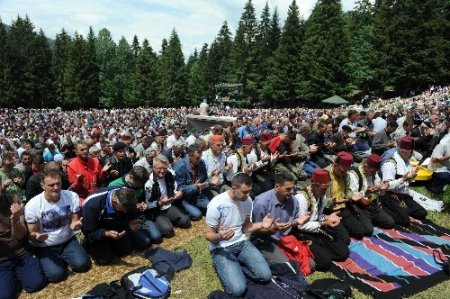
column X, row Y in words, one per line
column 234, row 261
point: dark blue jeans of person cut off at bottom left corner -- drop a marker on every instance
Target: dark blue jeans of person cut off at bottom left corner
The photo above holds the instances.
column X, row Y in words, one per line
column 22, row 271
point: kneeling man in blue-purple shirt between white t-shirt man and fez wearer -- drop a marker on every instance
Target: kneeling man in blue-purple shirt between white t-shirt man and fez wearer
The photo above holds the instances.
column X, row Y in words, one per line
column 284, row 208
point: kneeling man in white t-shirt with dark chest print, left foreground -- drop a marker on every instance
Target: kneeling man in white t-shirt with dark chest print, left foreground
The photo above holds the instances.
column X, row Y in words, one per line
column 51, row 217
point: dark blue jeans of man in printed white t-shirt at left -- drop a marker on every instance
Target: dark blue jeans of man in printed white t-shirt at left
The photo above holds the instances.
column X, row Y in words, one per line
column 54, row 259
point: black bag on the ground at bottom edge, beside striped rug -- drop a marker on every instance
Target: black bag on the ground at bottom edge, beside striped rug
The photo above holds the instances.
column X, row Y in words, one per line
column 328, row 288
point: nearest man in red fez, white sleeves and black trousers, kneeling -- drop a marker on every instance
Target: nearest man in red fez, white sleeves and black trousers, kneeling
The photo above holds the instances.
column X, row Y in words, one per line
column 329, row 238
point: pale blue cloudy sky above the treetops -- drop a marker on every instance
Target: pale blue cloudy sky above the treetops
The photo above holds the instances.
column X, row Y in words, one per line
column 196, row 21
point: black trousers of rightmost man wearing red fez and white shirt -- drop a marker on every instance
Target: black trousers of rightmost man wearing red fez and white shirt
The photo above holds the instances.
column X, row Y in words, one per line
column 401, row 206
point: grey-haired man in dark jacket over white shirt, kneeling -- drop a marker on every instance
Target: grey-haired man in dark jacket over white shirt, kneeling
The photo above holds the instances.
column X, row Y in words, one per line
column 161, row 191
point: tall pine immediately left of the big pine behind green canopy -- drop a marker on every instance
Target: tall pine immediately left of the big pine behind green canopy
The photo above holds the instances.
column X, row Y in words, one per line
column 282, row 84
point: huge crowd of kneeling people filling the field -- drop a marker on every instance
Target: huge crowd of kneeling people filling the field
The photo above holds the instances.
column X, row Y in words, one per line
column 126, row 178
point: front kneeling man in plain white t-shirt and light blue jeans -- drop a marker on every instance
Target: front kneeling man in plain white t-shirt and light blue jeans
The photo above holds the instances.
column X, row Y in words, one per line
column 227, row 221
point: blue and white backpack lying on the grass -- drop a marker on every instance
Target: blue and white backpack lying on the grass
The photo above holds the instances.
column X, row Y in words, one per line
column 145, row 282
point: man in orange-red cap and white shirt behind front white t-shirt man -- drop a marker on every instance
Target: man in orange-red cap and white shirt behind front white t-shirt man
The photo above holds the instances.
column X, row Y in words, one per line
column 216, row 166
